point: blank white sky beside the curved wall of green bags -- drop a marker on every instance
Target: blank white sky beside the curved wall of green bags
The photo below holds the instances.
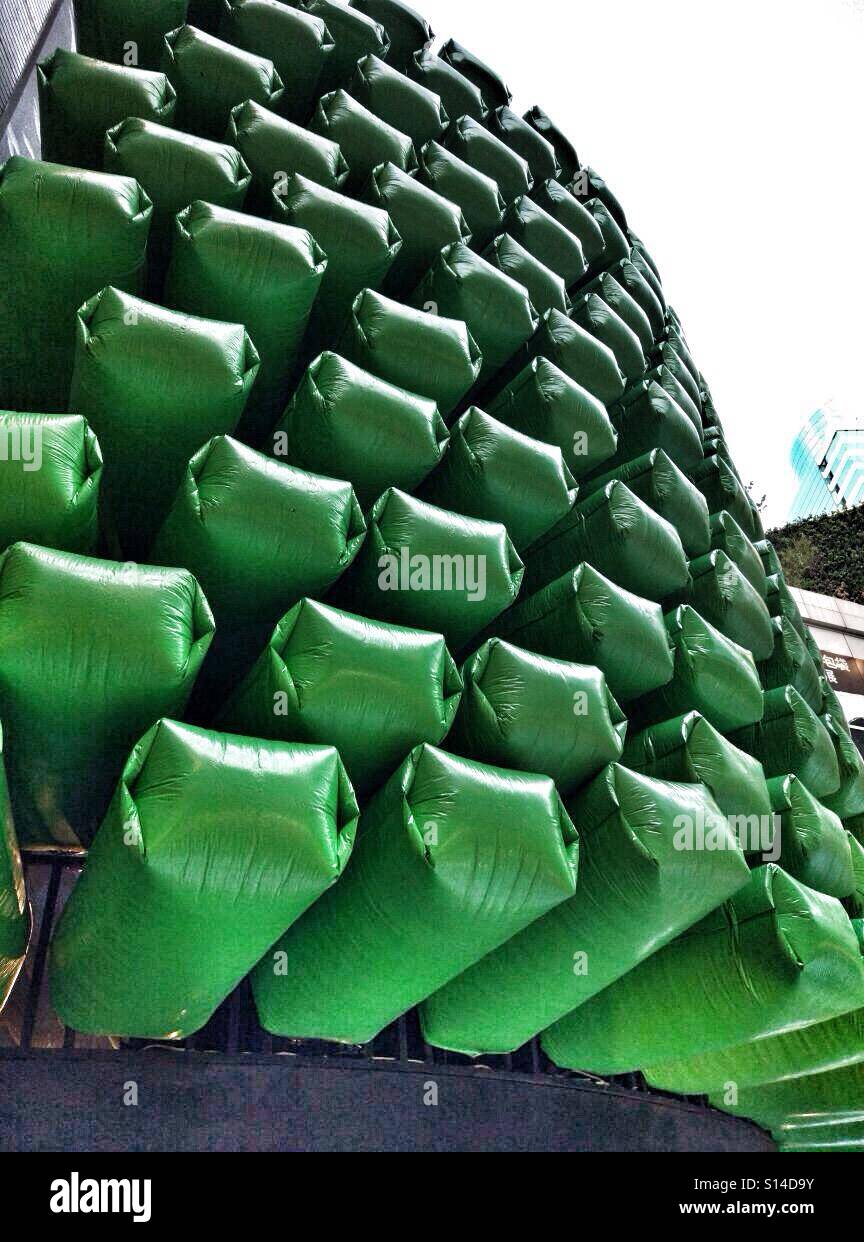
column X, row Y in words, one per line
column 733, row 135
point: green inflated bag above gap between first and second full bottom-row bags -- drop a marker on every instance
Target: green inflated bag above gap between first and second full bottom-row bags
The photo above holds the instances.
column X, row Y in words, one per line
column 372, row 690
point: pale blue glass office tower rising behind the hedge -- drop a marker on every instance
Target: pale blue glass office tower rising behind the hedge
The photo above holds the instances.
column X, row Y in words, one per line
column 829, row 461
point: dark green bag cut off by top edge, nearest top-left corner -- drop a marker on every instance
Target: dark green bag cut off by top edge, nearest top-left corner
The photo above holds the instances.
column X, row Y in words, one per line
column 110, row 29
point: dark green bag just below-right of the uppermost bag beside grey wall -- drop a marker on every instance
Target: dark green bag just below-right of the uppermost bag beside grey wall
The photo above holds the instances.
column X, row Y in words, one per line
column 174, row 171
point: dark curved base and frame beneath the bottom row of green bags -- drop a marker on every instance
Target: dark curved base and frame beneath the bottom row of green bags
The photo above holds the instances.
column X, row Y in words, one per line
column 250, row 1091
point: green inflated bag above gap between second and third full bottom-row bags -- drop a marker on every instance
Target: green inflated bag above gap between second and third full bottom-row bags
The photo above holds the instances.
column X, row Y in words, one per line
column 537, row 715
